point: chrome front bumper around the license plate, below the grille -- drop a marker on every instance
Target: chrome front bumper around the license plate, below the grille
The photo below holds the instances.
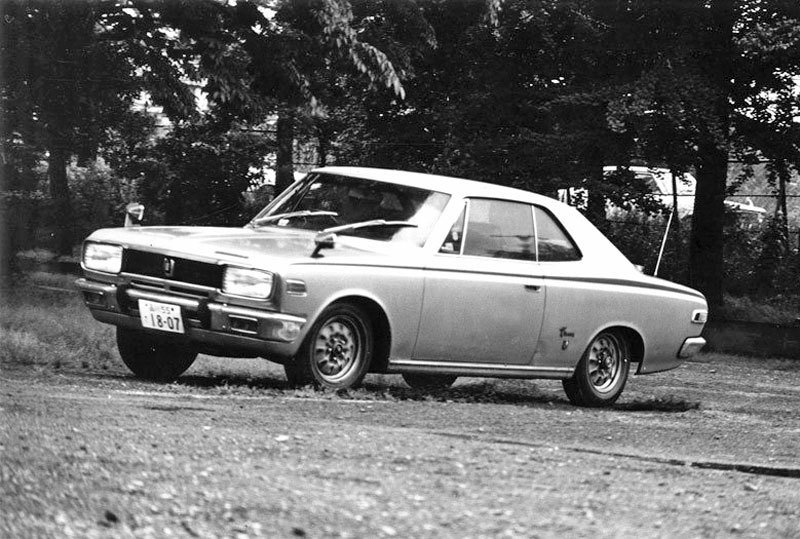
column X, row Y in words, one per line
column 220, row 326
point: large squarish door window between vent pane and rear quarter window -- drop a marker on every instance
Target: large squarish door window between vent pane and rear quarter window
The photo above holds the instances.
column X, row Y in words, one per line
column 499, row 229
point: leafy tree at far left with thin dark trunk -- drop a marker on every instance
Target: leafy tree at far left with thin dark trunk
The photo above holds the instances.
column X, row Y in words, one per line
column 72, row 70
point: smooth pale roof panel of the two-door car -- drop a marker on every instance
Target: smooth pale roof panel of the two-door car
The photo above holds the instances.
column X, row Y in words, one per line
column 445, row 184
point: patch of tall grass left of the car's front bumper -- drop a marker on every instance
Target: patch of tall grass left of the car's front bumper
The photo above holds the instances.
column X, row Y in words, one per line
column 43, row 322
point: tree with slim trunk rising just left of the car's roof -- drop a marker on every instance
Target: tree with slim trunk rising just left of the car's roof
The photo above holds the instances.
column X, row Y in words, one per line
column 313, row 50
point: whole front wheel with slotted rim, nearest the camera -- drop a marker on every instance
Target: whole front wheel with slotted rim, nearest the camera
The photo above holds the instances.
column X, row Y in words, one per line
column 337, row 351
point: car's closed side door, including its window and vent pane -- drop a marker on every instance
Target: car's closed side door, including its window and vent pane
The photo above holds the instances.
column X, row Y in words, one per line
column 483, row 298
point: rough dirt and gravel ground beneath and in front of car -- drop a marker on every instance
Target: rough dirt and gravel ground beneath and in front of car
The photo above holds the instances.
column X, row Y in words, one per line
column 708, row 450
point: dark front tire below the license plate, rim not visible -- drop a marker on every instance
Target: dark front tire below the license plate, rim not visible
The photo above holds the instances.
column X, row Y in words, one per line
column 152, row 357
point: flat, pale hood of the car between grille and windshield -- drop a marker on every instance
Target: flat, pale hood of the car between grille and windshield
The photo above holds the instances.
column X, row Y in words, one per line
column 242, row 245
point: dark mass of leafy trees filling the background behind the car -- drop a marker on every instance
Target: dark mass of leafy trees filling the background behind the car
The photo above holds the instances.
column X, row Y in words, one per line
column 538, row 94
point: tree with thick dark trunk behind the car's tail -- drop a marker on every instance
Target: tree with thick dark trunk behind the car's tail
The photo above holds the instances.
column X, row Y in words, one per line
column 714, row 87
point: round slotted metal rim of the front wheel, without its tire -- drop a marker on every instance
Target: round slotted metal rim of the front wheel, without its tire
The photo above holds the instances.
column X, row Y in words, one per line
column 337, row 348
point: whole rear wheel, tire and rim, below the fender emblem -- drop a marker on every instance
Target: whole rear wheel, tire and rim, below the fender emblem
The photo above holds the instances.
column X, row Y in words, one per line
column 601, row 373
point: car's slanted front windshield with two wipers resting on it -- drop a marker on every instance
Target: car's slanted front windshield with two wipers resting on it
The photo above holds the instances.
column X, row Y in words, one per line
column 324, row 201
